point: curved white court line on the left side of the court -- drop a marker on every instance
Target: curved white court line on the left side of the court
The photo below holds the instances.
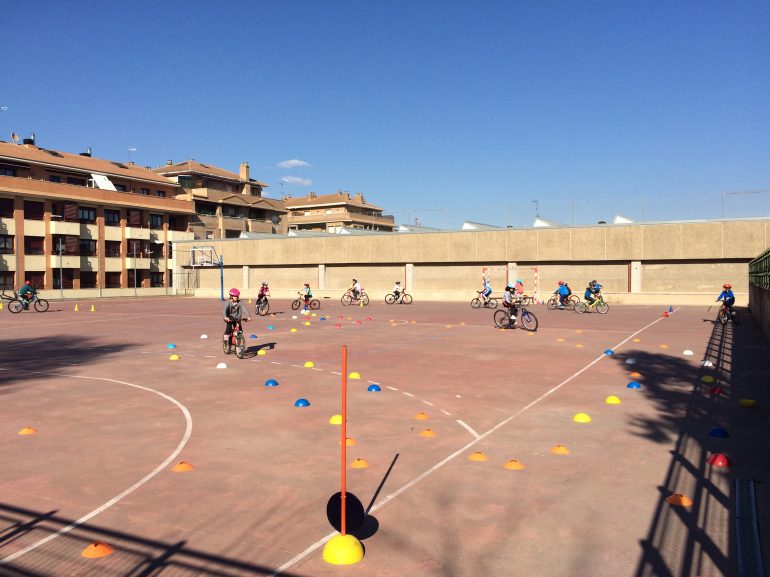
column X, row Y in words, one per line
column 132, row 488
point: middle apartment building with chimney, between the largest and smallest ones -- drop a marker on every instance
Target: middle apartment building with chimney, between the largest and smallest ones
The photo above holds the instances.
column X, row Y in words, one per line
column 226, row 203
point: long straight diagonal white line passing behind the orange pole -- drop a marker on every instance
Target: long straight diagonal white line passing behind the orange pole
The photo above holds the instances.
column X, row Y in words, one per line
column 297, row 558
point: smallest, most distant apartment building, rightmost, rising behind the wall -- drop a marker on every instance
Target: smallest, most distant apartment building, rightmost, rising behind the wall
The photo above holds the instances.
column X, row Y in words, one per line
column 332, row 212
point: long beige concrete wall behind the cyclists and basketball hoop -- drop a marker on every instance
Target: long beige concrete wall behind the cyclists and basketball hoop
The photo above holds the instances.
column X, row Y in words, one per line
column 666, row 263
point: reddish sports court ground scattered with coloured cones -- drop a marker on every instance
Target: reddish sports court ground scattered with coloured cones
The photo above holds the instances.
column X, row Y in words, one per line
column 478, row 464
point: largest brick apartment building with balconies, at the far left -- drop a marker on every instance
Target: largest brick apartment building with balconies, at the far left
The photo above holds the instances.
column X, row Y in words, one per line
column 76, row 222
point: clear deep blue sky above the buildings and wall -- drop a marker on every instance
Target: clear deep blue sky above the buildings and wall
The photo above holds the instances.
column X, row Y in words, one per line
column 441, row 111
